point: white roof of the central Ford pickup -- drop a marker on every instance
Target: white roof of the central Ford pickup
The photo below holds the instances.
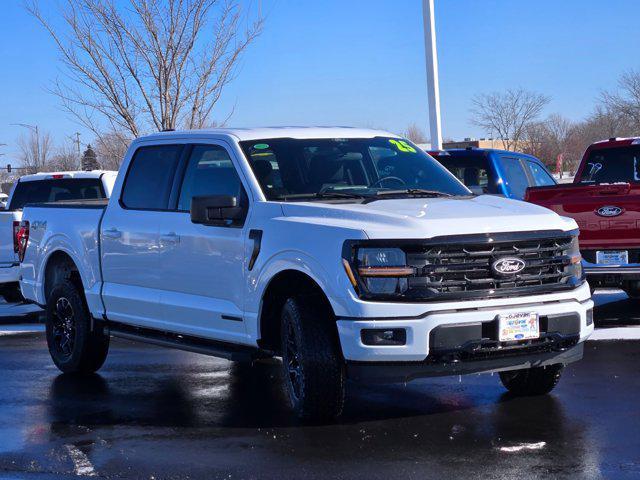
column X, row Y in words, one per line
column 273, row 132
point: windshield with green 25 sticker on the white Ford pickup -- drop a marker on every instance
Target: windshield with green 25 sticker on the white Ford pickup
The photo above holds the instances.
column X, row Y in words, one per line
column 300, row 169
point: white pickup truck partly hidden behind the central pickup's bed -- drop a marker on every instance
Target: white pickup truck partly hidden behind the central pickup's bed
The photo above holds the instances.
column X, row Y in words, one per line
column 36, row 188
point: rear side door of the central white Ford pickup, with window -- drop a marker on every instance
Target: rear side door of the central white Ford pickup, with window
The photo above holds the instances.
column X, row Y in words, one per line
column 131, row 254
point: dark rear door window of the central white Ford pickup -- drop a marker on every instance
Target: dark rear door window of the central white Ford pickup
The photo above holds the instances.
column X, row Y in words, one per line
column 150, row 177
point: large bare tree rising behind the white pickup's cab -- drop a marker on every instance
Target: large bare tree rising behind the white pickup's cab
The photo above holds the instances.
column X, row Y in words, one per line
column 143, row 65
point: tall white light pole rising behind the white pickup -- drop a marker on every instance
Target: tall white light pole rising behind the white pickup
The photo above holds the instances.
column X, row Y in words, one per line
column 433, row 88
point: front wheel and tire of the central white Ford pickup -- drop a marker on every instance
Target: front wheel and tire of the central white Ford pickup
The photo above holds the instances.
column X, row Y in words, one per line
column 313, row 366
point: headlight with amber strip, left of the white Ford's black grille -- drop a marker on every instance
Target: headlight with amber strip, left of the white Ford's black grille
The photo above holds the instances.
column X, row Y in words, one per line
column 383, row 271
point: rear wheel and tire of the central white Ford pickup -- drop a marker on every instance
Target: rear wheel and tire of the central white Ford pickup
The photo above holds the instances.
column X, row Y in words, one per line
column 74, row 346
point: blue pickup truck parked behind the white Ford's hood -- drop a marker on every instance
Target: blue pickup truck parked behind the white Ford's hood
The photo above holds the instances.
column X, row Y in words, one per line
column 495, row 172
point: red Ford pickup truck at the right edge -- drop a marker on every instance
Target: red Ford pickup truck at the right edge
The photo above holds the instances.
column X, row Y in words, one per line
column 604, row 200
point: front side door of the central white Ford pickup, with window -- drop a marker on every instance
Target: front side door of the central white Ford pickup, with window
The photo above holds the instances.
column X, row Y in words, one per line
column 204, row 266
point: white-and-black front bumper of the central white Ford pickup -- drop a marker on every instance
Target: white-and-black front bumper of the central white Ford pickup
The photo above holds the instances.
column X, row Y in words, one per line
column 420, row 343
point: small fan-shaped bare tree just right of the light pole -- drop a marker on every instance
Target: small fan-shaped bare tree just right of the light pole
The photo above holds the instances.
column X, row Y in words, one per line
column 508, row 113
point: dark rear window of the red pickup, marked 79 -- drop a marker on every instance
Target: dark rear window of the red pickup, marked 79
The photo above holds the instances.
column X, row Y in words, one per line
column 612, row 165
